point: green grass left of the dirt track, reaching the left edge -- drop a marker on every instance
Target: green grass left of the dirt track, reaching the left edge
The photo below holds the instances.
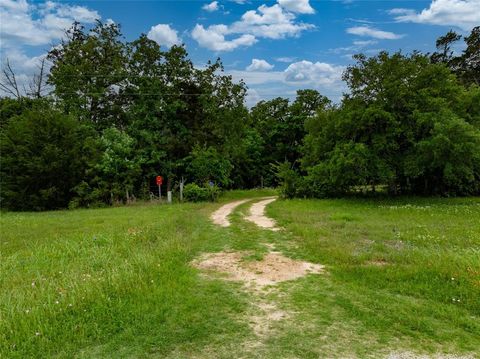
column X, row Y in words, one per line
column 112, row 282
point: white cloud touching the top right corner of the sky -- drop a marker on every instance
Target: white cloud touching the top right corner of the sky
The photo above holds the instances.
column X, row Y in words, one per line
column 462, row 13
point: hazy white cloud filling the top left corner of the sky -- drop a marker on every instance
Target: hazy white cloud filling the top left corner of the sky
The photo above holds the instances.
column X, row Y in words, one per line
column 34, row 24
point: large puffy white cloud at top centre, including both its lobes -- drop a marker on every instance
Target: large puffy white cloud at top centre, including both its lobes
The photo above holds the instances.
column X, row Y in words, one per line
column 272, row 22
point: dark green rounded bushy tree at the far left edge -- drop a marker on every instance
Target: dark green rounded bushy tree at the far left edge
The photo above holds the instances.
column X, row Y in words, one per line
column 44, row 156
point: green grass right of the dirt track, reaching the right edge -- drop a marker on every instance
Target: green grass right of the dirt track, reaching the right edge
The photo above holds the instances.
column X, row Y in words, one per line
column 403, row 274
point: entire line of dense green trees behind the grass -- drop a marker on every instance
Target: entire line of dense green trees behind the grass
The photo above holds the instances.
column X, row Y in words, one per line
column 120, row 113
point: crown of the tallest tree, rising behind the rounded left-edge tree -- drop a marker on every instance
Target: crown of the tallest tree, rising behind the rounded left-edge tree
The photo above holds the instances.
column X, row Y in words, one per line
column 88, row 74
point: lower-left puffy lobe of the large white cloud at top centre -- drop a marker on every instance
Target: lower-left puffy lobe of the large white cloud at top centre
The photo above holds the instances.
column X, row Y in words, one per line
column 213, row 38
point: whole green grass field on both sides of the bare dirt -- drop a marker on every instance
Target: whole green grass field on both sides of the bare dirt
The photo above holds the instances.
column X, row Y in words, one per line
column 402, row 276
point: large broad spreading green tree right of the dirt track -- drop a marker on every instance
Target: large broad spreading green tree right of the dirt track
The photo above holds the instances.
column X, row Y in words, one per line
column 389, row 130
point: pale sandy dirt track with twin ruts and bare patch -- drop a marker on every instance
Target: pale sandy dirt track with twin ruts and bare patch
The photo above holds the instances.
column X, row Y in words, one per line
column 258, row 276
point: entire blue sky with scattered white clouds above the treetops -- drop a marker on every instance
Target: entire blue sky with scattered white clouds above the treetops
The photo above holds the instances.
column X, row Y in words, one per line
column 276, row 46
